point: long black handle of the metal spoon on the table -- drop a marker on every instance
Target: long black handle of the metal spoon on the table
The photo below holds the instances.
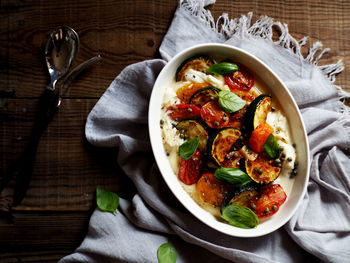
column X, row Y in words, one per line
column 47, row 108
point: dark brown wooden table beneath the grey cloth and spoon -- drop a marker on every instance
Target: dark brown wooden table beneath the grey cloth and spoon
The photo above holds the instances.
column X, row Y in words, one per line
column 53, row 218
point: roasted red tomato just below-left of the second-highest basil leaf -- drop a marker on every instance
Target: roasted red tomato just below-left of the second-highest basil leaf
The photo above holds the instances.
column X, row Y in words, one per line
column 214, row 116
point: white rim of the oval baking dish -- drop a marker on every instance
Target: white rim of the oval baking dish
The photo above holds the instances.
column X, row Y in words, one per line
column 153, row 125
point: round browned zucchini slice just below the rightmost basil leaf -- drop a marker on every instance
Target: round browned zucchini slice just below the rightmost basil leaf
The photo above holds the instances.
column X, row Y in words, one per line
column 260, row 170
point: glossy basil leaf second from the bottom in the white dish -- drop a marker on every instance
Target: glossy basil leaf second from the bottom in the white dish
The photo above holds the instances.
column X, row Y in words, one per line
column 232, row 175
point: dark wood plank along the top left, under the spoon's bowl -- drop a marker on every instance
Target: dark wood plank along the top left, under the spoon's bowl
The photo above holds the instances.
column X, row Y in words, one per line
column 121, row 31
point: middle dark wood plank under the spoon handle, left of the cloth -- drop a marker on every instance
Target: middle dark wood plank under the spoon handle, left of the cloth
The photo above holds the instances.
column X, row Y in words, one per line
column 67, row 168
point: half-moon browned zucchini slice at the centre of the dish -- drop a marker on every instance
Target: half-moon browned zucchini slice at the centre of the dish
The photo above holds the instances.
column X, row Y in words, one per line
column 221, row 143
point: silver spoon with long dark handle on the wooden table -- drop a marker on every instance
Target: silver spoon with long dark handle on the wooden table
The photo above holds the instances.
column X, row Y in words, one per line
column 60, row 52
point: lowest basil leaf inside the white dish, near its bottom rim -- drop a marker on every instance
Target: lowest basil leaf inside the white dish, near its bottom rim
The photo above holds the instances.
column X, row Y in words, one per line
column 240, row 216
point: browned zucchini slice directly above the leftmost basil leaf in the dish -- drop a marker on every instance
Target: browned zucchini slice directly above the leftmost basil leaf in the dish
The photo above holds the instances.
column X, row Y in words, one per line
column 192, row 129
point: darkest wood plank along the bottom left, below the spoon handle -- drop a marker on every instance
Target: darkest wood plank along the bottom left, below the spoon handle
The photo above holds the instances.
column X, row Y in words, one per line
column 41, row 236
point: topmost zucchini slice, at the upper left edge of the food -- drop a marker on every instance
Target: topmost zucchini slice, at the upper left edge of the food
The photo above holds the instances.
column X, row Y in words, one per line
column 199, row 63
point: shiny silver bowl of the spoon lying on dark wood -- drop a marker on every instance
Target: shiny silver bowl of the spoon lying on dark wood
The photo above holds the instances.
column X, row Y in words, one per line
column 60, row 52
